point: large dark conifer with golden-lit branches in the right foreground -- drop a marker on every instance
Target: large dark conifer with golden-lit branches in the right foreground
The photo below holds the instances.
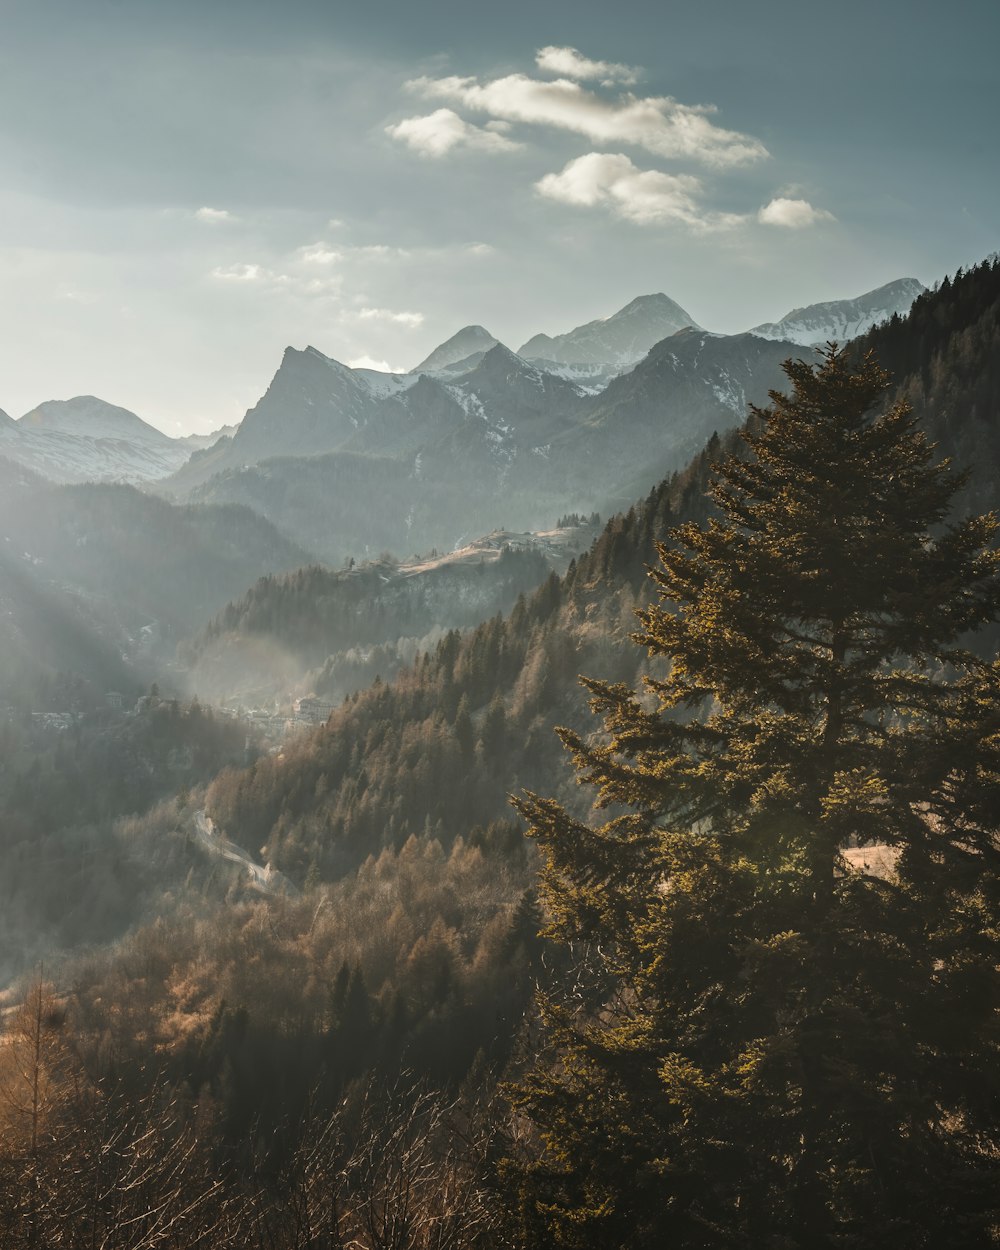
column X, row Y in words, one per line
column 766, row 1047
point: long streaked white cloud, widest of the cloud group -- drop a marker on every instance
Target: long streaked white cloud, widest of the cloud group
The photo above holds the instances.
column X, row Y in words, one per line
column 659, row 124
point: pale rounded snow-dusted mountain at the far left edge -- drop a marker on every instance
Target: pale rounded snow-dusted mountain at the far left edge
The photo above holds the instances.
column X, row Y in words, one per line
column 87, row 439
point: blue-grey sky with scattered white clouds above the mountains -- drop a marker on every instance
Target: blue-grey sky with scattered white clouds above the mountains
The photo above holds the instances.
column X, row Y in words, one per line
column 187, row 188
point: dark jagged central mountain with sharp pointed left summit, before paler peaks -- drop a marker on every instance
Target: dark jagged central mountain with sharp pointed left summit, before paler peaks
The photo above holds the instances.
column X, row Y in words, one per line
column 432, row 461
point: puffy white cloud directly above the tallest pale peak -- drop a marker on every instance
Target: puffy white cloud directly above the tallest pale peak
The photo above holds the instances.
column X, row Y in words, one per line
column 646, row 197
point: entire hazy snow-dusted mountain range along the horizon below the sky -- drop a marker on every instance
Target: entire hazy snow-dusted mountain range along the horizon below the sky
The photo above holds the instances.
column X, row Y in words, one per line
column 348, row 462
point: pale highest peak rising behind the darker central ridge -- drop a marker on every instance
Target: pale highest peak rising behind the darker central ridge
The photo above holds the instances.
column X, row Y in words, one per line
column 621, row 341
